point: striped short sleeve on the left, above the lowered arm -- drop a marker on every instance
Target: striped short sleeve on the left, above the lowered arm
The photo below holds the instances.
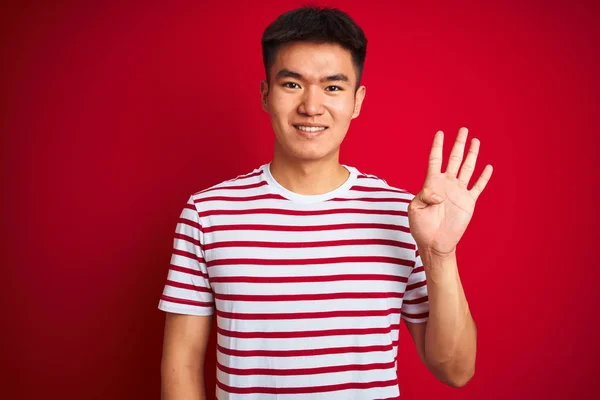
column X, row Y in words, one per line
column 187, row 289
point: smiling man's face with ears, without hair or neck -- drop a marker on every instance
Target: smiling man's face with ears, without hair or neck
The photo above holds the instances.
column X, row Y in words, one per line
column 312, row 87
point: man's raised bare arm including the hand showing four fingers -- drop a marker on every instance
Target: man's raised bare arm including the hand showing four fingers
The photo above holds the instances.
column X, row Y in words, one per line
column 438, row 217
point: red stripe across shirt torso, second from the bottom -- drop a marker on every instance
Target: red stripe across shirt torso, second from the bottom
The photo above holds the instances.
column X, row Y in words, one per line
column 305, row 371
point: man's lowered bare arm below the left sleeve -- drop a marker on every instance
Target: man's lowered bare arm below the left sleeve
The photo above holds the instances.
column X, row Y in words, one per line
column 184, row 349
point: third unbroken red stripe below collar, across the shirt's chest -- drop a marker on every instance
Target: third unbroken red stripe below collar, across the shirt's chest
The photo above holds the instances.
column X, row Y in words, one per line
column 295, row 245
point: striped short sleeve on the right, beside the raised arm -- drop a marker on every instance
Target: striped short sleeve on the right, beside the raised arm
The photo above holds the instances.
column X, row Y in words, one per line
column 415, row 305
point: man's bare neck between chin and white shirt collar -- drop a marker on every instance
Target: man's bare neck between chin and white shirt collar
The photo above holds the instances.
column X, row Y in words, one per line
column 308, row 177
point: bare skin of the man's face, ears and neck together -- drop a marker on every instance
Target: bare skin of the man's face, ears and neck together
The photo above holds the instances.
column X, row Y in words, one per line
column 300, row 92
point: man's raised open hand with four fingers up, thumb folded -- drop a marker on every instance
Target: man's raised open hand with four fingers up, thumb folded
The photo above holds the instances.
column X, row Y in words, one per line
column 438, row 227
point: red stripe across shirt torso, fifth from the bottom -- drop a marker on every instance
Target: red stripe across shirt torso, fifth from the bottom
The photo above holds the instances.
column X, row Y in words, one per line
column 307, row 315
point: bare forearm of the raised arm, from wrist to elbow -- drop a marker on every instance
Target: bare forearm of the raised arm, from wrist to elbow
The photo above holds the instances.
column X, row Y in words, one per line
column 451, row 335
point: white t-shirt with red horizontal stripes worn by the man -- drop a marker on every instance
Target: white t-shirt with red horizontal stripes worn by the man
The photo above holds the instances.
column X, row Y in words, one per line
column 308, row 290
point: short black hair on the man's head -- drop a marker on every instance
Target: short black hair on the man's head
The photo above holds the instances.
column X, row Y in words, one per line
column 312, row 23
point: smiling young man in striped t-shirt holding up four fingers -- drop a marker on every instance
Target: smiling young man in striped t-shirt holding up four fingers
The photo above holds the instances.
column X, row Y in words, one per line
column 310, row 265
